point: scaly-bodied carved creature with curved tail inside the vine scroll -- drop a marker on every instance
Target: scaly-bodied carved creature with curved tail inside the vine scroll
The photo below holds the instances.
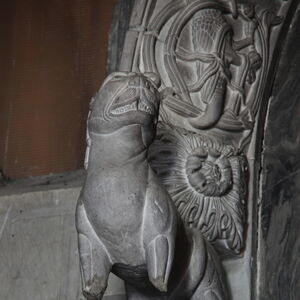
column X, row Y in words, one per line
column 211, row 39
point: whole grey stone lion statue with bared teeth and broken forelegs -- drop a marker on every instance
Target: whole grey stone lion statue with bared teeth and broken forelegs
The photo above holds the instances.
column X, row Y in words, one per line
column 126, row 221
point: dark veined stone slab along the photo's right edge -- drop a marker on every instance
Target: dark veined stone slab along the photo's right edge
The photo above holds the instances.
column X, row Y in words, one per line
column 279, row 239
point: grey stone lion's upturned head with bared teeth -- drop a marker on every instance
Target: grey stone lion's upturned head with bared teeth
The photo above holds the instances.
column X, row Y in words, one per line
column 124, row 99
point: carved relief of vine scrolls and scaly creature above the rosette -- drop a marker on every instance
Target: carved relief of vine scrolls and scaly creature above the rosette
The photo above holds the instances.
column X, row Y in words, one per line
column 212, row 57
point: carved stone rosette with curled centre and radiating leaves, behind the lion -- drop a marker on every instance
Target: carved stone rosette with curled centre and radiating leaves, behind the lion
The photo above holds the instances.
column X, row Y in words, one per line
column 207, row 182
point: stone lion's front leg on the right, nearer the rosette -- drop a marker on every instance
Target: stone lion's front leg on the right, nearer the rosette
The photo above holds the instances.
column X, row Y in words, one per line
column 159, row 233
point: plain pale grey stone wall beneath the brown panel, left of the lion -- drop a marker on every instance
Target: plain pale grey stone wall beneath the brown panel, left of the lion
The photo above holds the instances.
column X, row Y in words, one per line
column 38, row 241
